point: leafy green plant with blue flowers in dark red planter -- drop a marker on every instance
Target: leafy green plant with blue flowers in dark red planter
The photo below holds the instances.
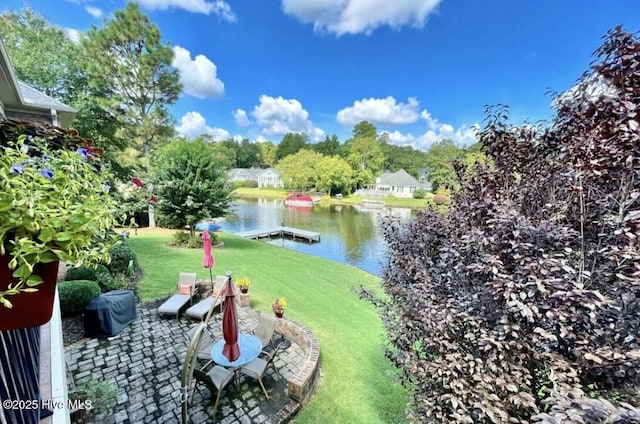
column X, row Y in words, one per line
column 54, row 206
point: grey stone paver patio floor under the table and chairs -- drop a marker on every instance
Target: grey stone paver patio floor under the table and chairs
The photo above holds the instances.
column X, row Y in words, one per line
column 144, row 363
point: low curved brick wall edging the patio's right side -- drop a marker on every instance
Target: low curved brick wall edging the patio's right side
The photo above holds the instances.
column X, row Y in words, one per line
column 302, row 385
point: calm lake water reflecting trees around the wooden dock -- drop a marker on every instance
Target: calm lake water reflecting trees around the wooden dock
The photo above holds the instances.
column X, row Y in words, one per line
column 349, row 234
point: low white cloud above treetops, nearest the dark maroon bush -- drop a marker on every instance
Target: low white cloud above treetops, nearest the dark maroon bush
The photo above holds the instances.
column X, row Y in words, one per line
column 436, row 131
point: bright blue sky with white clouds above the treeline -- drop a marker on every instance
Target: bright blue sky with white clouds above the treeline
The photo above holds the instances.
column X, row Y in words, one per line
column 418, row 69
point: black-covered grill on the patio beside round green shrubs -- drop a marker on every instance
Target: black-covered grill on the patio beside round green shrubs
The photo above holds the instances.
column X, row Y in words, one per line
column 109, row 313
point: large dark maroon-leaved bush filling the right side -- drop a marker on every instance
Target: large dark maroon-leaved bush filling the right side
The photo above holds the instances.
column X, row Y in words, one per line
column 522, row 303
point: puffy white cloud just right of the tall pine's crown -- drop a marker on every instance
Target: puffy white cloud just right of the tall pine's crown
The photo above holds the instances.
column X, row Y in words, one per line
column 199, row 76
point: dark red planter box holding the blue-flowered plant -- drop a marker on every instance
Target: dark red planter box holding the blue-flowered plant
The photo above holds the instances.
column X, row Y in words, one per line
column 29, row 309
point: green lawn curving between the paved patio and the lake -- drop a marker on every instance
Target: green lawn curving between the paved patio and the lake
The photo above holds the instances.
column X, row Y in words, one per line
column 355, row 385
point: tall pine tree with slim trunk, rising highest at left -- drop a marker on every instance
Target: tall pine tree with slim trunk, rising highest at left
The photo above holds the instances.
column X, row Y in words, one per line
column 132, row 71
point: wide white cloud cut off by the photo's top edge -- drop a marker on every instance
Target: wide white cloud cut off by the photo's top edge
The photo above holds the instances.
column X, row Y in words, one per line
column 359, row 16
